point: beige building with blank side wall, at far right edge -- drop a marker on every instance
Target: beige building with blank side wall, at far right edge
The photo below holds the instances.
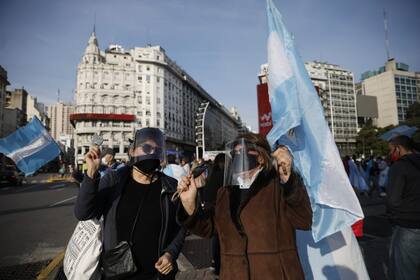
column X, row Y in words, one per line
column 395, row 88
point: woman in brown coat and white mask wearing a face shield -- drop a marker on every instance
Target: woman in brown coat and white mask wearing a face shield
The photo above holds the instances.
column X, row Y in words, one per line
column 257, row 212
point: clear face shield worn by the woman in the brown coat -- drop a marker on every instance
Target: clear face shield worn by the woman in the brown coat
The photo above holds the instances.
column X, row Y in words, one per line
column 241, row 164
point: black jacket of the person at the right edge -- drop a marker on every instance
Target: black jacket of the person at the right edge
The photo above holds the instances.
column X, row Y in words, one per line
column 403, row 199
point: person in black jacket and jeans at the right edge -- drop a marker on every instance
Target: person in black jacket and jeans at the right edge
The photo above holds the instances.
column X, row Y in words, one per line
column 403, row 208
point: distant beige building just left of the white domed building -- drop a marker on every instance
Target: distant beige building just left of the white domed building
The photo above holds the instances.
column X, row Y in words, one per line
column 59, row 116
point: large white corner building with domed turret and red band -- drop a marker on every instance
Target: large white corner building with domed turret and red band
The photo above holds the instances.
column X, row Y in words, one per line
column 121, row 90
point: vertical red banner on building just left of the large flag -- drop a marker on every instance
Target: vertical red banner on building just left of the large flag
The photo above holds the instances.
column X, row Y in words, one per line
column 265, row 121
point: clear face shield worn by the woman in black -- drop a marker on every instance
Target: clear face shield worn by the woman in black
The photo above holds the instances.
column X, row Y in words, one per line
column 148, row 144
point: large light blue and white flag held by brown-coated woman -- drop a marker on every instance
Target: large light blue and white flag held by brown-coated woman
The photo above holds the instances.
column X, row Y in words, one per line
column 330, row 250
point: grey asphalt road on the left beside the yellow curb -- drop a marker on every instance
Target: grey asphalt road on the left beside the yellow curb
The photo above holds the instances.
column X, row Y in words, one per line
column 36, row 221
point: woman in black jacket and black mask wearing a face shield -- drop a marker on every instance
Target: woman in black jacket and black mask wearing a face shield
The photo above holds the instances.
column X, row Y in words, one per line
column 135, row 202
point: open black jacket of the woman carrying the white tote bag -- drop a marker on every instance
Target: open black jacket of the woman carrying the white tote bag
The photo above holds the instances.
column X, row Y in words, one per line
column 100, row 197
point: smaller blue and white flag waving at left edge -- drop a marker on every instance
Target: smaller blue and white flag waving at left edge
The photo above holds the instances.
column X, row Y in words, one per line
column 30, row 147
